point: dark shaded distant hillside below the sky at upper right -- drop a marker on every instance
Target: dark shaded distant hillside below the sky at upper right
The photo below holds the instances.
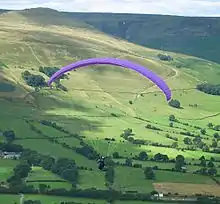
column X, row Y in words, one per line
column 197, row 36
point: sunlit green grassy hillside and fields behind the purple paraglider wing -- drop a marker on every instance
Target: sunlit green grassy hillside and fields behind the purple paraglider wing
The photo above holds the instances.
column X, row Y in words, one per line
column 96, row 105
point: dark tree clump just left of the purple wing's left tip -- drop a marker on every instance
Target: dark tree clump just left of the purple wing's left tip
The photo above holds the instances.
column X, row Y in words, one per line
column 33, row 79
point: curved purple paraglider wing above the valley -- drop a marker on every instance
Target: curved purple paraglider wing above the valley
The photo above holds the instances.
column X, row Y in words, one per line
column 117, row 62
